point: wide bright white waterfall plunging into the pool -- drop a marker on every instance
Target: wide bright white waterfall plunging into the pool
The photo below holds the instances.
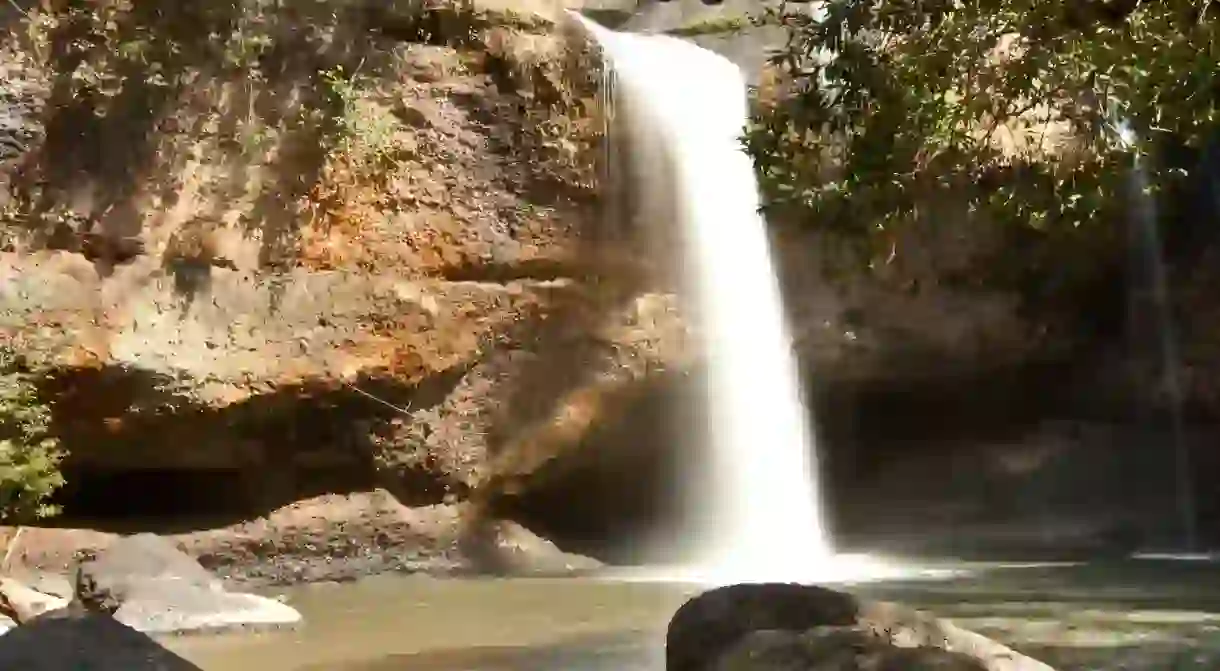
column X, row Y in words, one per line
column 687, row 109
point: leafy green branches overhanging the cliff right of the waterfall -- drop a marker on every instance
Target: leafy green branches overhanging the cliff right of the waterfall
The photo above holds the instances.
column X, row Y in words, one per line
column 889, row 106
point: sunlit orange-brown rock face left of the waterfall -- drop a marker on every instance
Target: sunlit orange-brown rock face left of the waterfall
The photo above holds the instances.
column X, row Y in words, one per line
column 391, row 262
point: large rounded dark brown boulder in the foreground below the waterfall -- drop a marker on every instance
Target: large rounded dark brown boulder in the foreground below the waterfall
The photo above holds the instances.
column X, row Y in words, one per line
column 798, row 628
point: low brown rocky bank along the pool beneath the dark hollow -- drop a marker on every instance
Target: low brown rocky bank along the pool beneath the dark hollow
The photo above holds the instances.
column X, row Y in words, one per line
column 329, row 539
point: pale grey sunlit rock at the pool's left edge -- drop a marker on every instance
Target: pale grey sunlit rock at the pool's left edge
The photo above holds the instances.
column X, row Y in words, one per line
column 152, row 586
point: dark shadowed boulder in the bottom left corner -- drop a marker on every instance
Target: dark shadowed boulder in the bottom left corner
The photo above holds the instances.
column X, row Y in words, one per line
column 93, row 641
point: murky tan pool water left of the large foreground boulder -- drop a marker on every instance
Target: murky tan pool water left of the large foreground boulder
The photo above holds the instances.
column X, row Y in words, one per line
column 428, row 624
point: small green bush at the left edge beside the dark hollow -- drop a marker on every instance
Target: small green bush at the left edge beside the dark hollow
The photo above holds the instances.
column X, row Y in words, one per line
column 30, row 456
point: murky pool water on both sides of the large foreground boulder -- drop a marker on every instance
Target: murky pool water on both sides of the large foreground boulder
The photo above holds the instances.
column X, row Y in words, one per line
column 1124, row 615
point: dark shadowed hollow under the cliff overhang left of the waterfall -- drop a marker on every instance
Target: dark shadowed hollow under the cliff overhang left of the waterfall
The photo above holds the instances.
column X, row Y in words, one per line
column 302, row 442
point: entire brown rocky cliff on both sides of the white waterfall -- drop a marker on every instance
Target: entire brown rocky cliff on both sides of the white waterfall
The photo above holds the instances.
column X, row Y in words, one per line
column 268, row 252
